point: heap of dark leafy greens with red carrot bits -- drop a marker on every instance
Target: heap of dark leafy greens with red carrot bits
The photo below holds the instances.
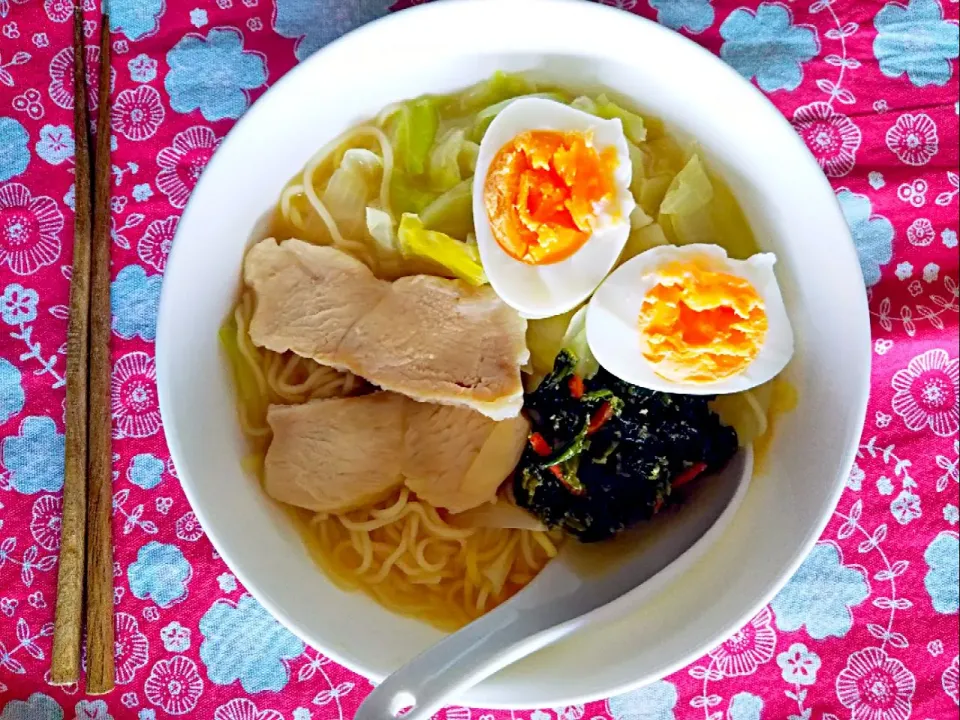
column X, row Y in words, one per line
column 614, row 452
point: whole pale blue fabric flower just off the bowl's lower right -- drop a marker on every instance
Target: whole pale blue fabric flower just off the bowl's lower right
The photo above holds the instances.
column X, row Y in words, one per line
column 820, row 595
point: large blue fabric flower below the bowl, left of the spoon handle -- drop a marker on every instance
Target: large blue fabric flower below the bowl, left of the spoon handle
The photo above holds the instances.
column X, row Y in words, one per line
column 226, row 627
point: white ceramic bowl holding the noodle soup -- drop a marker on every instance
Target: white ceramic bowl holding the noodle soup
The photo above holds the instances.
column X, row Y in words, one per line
column 442, row 47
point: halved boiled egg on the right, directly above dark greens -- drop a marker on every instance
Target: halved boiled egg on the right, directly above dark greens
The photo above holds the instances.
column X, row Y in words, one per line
column 691, row 320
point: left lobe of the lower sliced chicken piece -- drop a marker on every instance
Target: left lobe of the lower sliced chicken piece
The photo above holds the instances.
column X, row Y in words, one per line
column 336, row 455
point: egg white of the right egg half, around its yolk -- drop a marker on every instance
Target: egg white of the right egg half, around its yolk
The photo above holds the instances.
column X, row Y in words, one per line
column 613, row 330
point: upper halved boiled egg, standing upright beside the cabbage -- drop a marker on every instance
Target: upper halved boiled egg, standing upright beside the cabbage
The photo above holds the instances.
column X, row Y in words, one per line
column 551, row 204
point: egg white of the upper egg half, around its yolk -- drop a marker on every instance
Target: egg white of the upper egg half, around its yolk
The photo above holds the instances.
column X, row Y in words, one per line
column 539, row 291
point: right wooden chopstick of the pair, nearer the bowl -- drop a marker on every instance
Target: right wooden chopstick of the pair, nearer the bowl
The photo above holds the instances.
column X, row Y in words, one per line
column 100, row 664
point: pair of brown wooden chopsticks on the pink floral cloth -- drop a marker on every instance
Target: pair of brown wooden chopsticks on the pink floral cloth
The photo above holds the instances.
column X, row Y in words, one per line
column 86, row 557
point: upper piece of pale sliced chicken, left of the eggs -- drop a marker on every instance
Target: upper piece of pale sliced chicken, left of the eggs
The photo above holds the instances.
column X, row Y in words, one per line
column 432, row 339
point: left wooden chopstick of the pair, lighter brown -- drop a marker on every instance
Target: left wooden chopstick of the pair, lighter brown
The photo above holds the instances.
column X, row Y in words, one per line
column 65, row 665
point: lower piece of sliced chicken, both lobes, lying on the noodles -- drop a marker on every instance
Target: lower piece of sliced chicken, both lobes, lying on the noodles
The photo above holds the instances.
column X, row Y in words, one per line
column 339, row 454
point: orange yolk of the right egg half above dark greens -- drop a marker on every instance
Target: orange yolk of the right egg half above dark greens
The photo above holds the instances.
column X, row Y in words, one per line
column 697, row 325
